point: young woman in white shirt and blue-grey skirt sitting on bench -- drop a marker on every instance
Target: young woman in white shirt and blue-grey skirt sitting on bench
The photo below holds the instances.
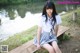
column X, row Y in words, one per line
column 48, row 28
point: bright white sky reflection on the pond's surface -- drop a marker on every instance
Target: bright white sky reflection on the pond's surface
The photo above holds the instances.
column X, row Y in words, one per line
column 17, row 25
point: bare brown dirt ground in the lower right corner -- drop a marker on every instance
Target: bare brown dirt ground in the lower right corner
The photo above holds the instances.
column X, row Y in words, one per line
column 72, row 45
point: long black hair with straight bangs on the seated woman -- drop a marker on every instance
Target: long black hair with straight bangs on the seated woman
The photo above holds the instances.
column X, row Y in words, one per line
column 50, row 5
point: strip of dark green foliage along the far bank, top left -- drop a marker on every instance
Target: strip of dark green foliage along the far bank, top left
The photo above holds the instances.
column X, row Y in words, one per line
column 4, row 2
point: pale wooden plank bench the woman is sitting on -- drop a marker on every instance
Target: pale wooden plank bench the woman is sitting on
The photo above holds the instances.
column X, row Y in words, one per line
column 30, row 48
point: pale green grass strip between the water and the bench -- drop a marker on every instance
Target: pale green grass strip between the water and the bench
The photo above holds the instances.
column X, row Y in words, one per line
column 20, row 38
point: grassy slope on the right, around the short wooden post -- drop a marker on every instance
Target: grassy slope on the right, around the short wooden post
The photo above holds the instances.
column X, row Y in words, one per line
column 67, row 18
